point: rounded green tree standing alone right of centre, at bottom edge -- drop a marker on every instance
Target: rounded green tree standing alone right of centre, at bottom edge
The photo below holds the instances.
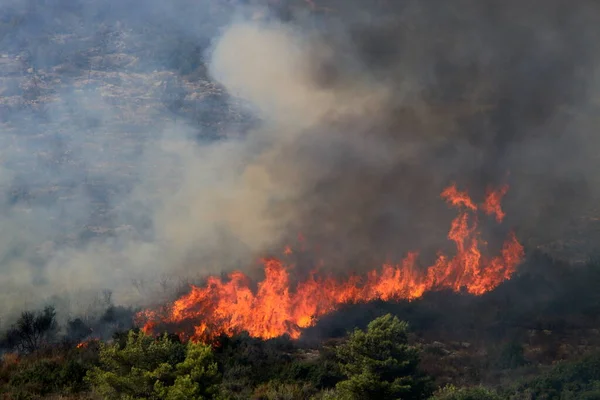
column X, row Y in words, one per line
column 380, row 364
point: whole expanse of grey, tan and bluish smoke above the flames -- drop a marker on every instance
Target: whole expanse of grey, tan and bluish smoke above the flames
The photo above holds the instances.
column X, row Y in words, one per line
column 145, row 143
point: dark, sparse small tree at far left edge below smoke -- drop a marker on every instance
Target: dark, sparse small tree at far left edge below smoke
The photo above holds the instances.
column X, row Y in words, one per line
column 32, row 330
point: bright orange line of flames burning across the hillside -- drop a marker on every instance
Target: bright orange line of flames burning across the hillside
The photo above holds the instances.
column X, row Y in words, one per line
column 275, row 308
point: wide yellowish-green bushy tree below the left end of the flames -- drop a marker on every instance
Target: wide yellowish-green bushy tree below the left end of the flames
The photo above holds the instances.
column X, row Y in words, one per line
column 149, row 368
